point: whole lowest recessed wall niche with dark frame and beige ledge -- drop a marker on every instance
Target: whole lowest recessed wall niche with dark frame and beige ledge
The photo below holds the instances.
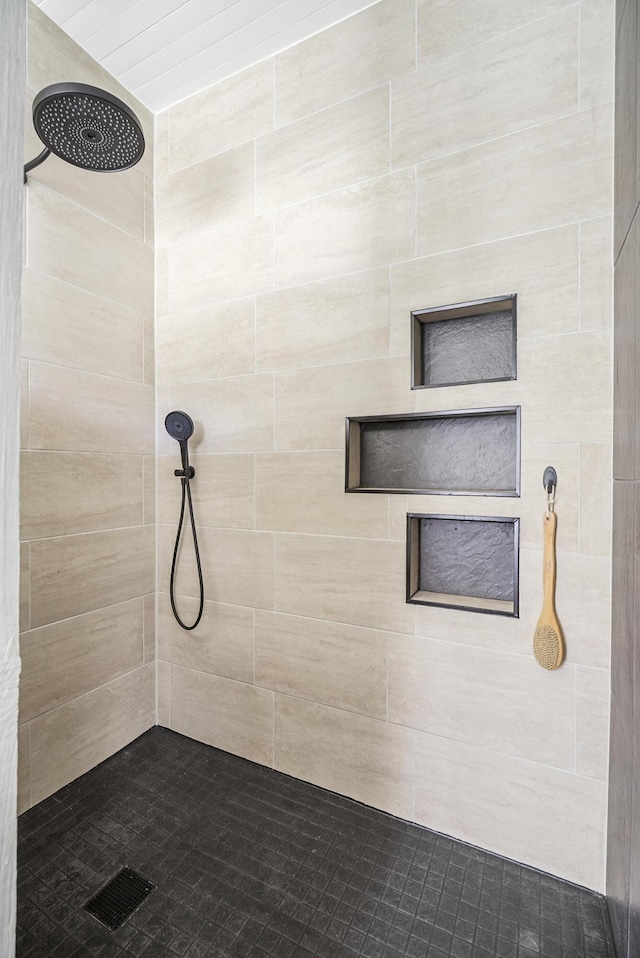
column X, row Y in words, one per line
column 463, row 562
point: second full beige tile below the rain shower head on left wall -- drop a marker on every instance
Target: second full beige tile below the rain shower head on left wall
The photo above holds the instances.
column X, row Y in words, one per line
column 70, row 326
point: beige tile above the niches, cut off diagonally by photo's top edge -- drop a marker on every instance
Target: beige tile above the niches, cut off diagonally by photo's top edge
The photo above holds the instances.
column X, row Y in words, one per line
column 445, row 28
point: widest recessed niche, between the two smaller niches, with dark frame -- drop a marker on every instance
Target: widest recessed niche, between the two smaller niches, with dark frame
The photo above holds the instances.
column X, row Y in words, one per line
column 464, row 452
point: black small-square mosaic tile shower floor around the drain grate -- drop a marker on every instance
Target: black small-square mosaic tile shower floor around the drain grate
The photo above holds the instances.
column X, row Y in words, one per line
column 249, row 863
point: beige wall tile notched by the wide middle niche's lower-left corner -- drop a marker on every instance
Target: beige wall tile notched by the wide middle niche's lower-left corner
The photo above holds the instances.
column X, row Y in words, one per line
column 304, row 492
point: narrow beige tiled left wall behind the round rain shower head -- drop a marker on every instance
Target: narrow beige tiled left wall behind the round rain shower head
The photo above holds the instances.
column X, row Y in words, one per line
column 88, row 460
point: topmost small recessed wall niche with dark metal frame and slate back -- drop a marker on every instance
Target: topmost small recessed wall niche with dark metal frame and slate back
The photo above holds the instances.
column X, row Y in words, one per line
column 466, row 343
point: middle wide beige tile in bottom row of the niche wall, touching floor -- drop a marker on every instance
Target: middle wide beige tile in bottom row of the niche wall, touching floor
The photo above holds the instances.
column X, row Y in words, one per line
column 354, row 755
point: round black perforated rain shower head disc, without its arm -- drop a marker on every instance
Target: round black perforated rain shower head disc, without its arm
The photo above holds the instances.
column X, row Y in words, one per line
column 88, row 127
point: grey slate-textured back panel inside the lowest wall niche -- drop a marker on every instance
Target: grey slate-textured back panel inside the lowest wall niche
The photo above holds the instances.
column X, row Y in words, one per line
column 467, row 557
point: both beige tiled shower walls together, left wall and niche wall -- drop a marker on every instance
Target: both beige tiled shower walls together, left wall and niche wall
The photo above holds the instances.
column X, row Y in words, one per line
column 259, row 270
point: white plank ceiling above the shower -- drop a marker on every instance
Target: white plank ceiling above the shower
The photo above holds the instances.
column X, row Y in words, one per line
column 165, row 50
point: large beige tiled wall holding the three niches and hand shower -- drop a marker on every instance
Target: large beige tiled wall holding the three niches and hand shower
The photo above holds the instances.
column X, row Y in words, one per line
column 363, row 173
